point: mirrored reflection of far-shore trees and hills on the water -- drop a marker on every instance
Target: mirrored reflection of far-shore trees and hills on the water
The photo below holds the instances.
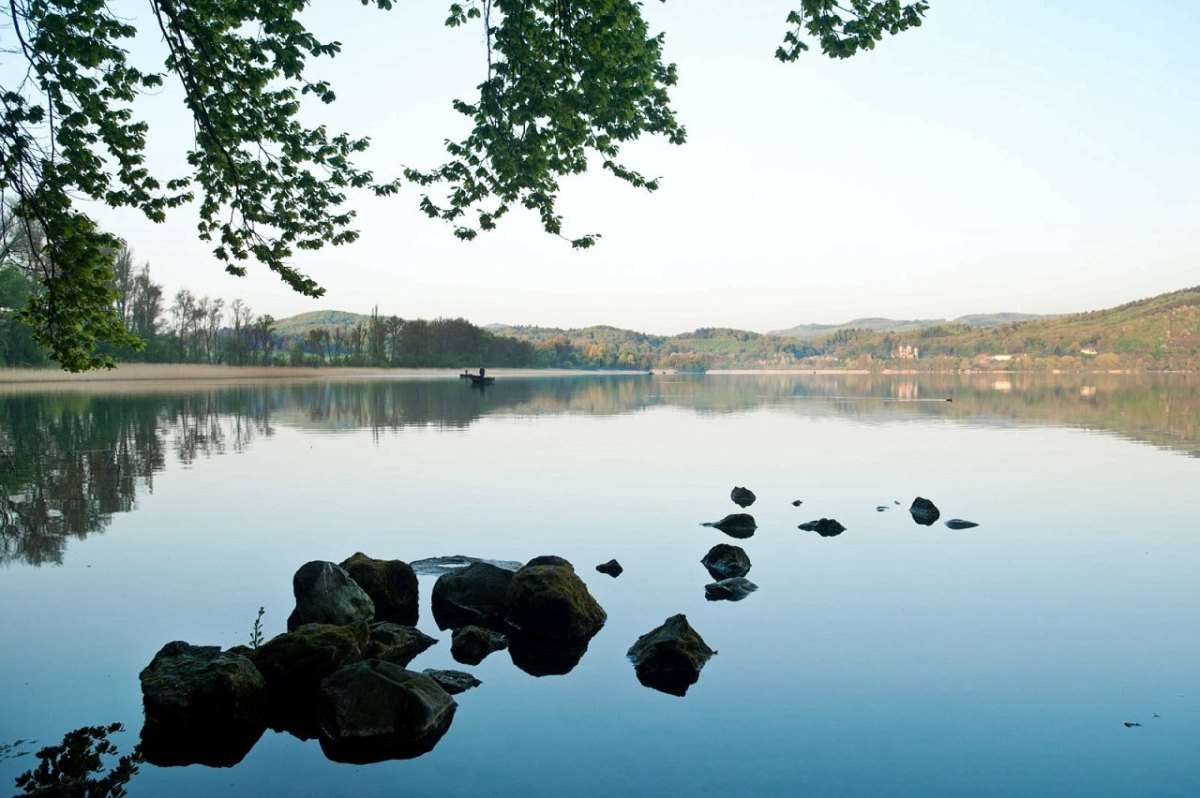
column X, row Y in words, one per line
column 69, row 461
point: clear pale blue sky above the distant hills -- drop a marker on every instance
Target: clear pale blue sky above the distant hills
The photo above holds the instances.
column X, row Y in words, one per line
column 1009, row 155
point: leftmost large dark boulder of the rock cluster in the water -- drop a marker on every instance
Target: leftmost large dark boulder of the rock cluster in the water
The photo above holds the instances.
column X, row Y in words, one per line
column 203, row 706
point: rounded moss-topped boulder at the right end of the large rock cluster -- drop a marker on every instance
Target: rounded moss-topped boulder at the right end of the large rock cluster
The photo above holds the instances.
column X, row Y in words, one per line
column 548, row 599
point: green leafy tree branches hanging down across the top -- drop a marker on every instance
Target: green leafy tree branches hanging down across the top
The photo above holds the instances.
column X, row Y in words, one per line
column 568, row 83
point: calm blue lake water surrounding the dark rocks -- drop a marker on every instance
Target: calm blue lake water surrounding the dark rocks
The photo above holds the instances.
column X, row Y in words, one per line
column 892, row 659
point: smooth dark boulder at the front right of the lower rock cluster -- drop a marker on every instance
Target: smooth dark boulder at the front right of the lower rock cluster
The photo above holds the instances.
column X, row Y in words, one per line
column 376, row 711
